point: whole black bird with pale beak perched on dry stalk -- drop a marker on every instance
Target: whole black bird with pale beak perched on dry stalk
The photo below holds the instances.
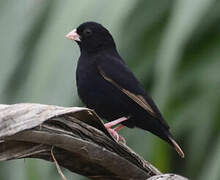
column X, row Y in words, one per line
column 106, row 84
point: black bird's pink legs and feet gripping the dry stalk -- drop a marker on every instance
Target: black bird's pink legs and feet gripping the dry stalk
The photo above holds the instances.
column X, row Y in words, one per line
column 114, row 132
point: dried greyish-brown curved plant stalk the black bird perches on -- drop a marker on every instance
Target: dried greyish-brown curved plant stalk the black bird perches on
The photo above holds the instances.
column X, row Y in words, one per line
column 79, row 139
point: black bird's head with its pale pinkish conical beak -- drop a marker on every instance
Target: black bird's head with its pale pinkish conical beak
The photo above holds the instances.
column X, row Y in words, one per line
column 91, row 37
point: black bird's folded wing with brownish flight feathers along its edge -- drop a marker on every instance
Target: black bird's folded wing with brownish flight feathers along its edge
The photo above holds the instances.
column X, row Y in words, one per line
column 113, row 70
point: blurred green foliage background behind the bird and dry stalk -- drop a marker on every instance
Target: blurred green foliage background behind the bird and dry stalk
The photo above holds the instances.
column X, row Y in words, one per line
column 173, row 47
